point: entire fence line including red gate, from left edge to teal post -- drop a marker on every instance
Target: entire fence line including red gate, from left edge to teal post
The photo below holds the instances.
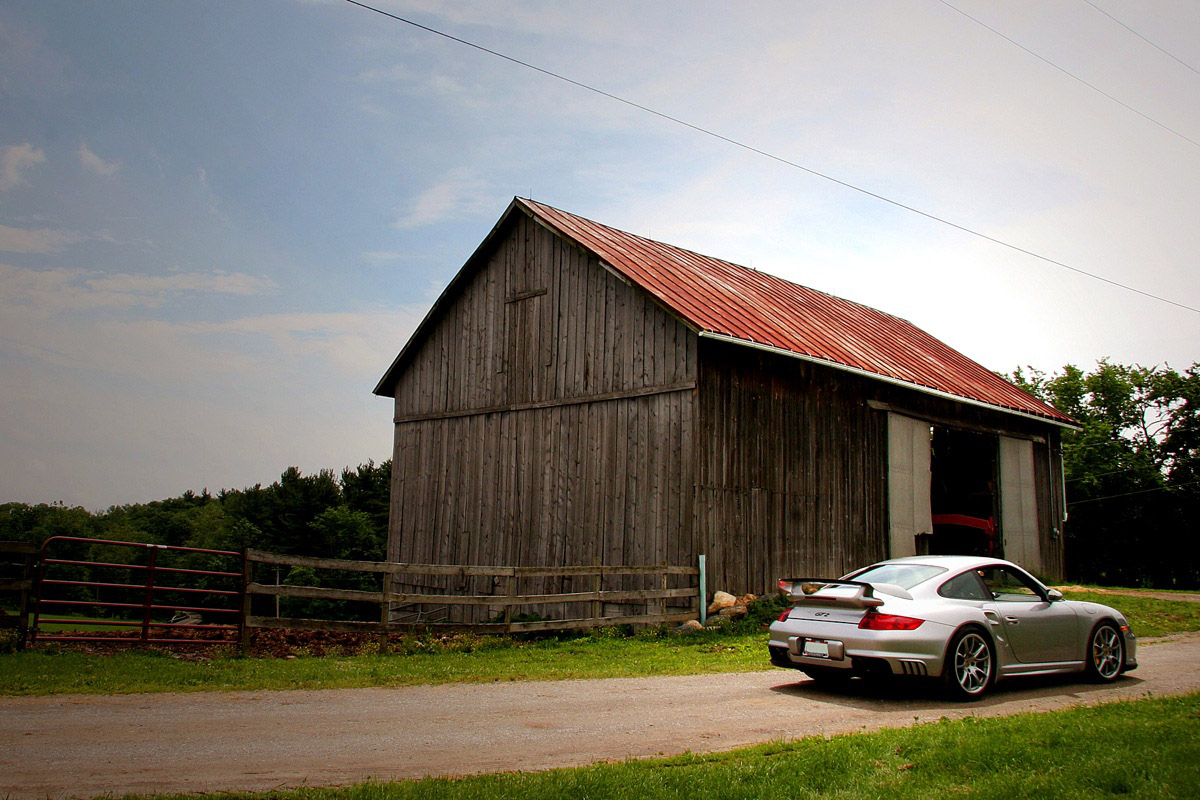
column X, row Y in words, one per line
column 445, row 587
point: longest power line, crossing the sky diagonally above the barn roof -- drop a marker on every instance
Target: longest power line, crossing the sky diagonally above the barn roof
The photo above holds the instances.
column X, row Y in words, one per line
column 781, row 160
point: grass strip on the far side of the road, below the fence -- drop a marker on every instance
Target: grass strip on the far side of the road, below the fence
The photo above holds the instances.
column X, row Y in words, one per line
column 479, row 660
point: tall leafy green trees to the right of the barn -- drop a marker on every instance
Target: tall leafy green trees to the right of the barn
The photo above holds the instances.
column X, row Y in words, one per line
column 1132, row 472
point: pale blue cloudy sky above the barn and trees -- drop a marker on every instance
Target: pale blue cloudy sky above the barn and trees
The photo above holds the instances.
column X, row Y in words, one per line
column 221, row 221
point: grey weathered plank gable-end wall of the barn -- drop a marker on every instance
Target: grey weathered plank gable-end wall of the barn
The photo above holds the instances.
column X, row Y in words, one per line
column 547, row 419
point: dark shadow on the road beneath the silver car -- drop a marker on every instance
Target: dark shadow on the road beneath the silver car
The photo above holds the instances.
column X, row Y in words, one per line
column 884, row 694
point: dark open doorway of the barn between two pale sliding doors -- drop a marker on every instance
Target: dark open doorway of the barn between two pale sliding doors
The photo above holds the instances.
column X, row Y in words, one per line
column 964, row 498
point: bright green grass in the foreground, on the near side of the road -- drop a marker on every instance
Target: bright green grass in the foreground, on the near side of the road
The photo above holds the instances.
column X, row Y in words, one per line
column 1147, row 749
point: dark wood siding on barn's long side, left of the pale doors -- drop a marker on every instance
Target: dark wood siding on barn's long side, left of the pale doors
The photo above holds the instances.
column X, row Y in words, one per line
column 791, row 471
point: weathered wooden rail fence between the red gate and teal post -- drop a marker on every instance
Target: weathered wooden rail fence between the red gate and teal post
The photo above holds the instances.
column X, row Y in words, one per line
column 657, row 600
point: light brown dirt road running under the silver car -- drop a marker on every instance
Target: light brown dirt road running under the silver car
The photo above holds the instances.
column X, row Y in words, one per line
column 86, row 747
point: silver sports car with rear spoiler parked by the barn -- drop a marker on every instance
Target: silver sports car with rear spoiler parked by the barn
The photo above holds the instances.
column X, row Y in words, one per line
column 967, row 621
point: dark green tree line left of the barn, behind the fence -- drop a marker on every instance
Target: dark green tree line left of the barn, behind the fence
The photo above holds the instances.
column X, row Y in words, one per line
column 323, row 515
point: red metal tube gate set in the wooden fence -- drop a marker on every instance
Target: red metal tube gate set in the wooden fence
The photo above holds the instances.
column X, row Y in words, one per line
column 205, row 592
